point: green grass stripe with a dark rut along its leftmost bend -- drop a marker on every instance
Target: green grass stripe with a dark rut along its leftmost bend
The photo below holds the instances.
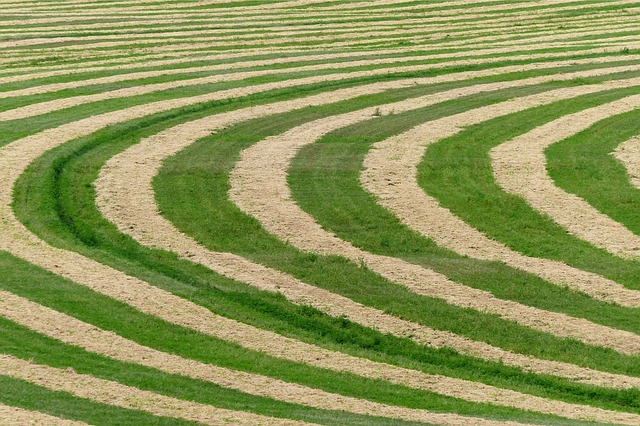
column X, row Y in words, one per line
column 55, row 199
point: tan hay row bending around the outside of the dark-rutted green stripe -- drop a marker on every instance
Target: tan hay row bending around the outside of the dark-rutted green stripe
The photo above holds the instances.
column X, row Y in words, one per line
column 141, row 295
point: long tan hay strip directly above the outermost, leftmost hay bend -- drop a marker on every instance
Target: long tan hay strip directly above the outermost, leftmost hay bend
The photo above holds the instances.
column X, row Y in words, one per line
column 46, row 107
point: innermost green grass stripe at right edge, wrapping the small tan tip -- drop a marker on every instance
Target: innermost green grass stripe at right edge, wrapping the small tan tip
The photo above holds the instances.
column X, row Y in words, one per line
column 583, row 165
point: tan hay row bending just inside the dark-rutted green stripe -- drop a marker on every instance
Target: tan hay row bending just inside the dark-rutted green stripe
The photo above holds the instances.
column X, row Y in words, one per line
column 125, row 197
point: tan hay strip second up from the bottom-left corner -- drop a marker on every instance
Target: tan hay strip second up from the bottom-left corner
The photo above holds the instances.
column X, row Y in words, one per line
column 115, row 394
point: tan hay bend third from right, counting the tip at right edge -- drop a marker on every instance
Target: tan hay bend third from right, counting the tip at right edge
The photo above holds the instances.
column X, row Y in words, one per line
column 391, row 175
